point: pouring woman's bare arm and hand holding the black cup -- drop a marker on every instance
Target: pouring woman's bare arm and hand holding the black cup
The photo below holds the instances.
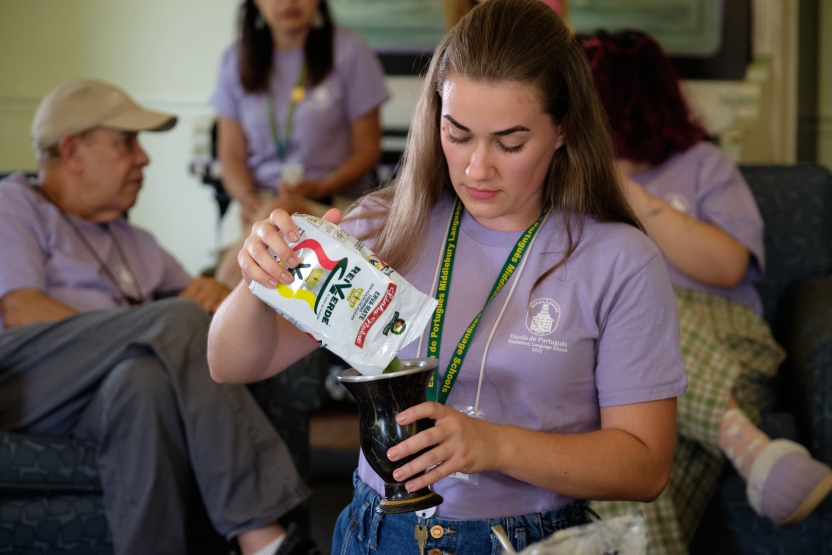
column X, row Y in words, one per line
column 628, row 459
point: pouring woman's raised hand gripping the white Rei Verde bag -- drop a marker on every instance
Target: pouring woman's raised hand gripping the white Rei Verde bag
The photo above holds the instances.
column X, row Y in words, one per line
column 254, row 259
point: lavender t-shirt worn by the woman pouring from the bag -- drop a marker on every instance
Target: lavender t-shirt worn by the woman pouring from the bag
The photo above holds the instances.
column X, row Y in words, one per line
column 600, row 331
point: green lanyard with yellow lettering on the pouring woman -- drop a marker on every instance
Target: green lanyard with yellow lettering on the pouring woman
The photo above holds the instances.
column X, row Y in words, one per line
column 442, row 291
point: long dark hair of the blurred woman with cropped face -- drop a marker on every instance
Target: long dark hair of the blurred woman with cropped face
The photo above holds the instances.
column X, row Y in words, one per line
column 257, row 48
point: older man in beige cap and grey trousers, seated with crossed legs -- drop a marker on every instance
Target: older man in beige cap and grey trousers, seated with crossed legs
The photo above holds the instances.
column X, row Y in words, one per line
column 86, row 352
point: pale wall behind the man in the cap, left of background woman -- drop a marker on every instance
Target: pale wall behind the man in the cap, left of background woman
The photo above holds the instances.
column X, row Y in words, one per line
column 163, row 52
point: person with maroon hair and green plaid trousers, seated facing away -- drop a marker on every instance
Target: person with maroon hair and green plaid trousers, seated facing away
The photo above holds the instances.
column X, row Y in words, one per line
column 695, row 204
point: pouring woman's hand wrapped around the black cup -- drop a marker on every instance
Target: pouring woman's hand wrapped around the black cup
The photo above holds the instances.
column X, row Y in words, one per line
column 460, row 443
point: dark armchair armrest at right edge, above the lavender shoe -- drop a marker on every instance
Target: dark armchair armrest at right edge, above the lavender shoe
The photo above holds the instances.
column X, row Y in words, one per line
column 804, row 328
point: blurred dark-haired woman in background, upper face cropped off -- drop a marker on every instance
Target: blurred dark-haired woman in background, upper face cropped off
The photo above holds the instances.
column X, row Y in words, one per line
column 298, row 101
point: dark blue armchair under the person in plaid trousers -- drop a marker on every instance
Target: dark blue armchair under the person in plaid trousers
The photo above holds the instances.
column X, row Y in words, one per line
column 796, row 205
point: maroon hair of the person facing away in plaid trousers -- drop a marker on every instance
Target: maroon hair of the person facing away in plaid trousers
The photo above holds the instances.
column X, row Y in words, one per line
column 639, row 89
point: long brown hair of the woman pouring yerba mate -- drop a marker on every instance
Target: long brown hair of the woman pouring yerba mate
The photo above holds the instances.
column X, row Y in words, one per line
column 506, row 41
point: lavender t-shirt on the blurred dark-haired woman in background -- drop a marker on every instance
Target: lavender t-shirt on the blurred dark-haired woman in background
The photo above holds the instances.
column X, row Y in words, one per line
column 320, row 137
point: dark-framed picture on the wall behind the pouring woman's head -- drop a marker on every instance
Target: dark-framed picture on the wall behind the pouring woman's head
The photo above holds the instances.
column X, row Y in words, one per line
column 406, row 32
